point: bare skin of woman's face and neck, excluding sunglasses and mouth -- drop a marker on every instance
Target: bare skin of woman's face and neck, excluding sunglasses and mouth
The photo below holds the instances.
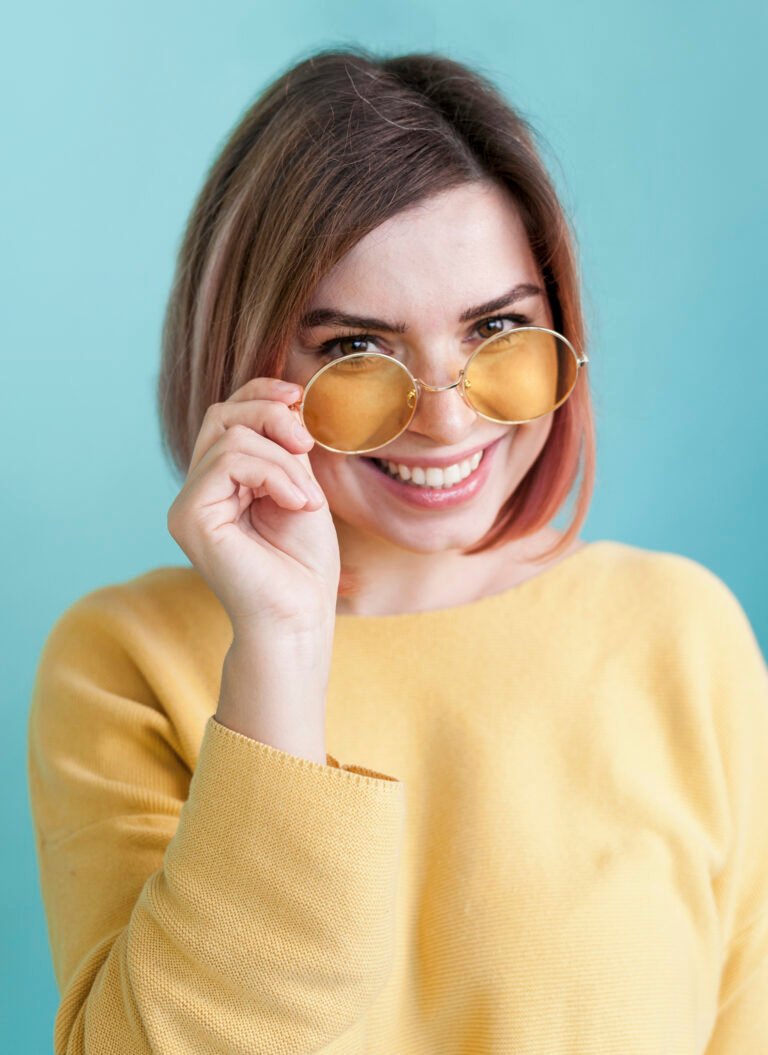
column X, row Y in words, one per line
column 425, row 267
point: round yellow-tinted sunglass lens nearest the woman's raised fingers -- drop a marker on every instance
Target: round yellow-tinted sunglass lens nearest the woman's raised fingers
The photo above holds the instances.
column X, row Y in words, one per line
column 359, row 404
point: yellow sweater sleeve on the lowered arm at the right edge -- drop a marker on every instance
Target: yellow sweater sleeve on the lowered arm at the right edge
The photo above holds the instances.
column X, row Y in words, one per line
column 739, row 692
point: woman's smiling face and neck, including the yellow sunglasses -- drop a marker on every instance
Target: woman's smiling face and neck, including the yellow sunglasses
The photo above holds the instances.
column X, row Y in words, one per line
column 465, row 355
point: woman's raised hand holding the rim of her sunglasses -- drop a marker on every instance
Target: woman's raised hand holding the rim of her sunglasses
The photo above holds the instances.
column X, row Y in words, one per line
column 248, row 520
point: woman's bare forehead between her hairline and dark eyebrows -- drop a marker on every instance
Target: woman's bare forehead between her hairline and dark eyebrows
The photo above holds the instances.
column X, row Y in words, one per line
column 463, row 245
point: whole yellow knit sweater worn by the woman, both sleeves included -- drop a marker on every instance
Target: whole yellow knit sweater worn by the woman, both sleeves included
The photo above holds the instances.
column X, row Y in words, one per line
column 549, row 835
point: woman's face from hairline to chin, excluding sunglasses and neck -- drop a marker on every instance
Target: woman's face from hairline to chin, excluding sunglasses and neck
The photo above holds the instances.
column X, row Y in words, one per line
column 426, row 268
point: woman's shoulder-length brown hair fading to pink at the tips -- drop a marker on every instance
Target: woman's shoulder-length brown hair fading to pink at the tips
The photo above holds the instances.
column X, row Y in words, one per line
column 334, row 147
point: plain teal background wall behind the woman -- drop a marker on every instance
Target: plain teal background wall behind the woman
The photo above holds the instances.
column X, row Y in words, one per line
column 655, row 120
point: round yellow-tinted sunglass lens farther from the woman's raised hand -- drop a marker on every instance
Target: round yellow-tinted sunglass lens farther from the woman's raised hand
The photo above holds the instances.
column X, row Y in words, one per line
column 521, row 375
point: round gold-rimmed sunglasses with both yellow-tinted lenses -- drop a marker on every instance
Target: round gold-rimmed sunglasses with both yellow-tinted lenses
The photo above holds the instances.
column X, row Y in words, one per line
column 363, row 401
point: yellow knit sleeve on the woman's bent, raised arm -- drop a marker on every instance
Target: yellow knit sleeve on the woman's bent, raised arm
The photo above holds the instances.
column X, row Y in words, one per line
column 246, row 906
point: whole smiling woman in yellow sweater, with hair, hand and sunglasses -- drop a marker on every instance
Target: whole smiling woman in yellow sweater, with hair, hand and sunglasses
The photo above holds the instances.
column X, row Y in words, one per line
column 550, row 835
